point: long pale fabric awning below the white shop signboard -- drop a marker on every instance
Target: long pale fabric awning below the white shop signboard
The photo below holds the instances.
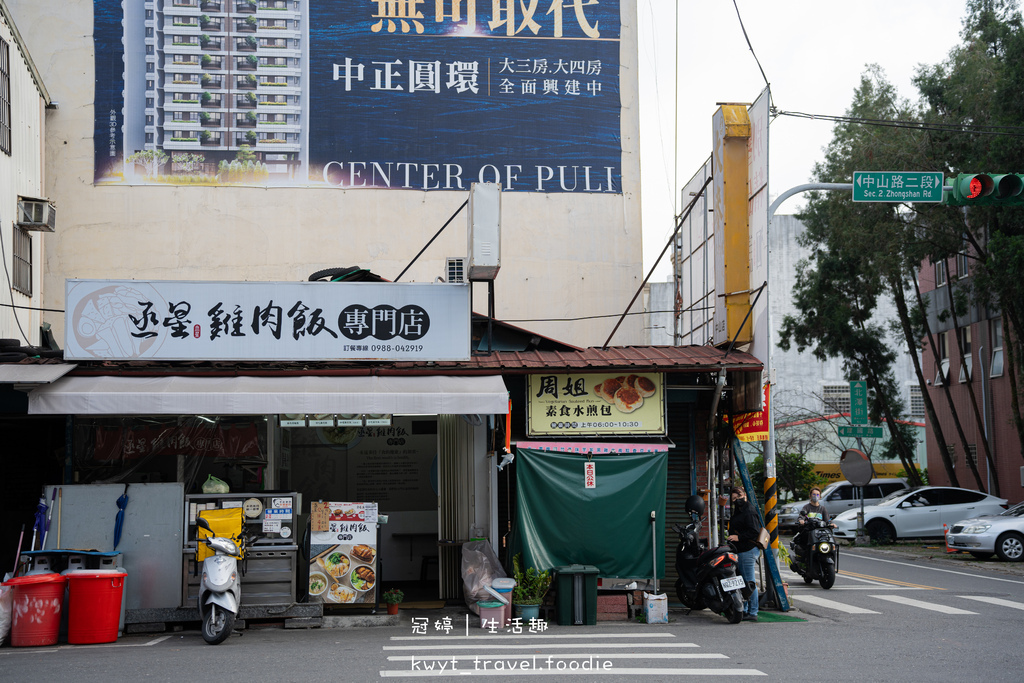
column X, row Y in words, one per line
column 436, row 395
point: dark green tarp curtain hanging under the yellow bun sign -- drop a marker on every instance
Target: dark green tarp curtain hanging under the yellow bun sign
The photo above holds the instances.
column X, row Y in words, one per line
column 560, row 522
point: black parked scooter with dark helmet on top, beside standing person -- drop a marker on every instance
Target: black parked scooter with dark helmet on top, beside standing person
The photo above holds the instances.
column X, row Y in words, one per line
column 708, row 576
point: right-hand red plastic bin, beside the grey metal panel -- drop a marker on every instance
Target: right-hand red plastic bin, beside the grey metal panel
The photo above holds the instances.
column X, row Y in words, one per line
column 95, row 606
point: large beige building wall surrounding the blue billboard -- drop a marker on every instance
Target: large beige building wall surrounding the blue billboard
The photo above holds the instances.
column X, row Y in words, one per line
column 563, row 255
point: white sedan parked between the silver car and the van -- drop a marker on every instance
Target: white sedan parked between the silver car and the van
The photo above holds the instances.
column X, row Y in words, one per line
column 919, row 514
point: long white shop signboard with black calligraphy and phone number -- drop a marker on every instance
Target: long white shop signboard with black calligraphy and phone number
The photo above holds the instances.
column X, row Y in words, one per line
column 126, row 320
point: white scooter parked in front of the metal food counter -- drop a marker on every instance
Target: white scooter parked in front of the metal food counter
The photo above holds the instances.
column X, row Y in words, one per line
column 220, row 588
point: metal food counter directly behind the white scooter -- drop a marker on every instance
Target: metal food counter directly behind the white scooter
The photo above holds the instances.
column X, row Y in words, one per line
column 272, row 563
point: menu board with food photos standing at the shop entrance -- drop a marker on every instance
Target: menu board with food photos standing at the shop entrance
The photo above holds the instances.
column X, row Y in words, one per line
column 344, row 559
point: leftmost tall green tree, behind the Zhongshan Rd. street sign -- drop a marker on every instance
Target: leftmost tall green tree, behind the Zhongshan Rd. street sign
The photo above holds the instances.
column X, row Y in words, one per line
column 854, row 248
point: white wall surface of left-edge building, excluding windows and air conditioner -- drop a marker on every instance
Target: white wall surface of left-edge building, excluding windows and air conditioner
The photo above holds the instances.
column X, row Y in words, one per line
column 22, row 174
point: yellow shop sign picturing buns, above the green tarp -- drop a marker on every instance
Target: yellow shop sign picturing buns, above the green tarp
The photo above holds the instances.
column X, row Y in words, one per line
column 585, row 404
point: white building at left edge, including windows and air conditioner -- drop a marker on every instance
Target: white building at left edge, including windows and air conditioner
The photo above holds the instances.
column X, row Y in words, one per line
column 26, row 217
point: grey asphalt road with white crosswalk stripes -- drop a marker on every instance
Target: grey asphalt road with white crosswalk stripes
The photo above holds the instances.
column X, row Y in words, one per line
column 893, row 615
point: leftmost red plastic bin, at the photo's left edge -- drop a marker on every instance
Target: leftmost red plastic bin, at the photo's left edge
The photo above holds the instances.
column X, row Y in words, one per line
column 36, row 610
